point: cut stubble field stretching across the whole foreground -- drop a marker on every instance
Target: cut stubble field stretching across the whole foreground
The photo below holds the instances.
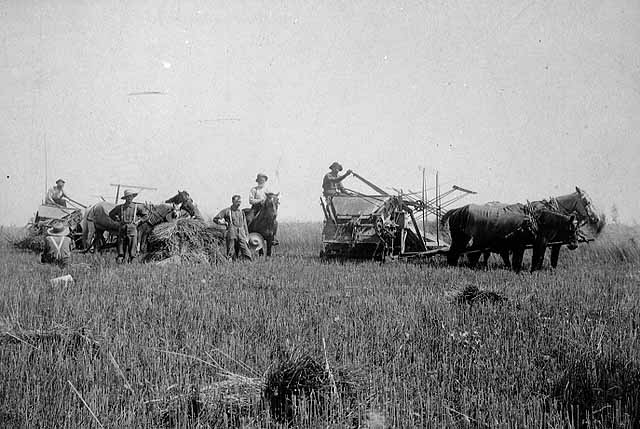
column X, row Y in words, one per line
column 561, row 351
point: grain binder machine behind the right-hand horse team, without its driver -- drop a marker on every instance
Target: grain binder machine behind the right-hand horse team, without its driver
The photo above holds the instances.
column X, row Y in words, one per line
column 379, row 225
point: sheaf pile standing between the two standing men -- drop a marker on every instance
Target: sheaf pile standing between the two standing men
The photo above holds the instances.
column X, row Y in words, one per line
column 188, row 239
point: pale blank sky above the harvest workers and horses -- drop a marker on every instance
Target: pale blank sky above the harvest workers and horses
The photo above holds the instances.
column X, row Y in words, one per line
column 515, row 100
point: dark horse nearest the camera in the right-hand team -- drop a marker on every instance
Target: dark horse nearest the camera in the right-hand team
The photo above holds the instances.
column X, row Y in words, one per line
column 504, row 229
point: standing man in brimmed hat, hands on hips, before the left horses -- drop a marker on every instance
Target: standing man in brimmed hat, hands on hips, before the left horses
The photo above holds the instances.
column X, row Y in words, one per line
column 129, row 215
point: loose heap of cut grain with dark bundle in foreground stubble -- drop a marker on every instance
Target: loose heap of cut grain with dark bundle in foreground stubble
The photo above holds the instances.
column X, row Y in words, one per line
column 296, row 387
